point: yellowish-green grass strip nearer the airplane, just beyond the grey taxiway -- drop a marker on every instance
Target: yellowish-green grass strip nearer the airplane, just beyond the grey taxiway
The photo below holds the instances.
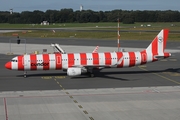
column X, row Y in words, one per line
column 95, row 35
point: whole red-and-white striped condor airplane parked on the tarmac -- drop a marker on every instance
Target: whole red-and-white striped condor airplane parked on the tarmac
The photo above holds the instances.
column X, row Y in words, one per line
column 76, row 64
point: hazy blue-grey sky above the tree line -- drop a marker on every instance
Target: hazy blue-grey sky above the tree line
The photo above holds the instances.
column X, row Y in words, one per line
column 95, row 5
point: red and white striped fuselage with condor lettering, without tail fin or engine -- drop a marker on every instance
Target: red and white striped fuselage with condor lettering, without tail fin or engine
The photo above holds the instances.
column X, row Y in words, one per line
column 65, row 61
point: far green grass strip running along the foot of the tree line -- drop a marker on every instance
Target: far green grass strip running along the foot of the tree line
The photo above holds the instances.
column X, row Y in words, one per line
column 101, row 24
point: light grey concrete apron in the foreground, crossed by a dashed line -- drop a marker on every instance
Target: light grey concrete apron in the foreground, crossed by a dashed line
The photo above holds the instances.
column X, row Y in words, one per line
column 154, row 103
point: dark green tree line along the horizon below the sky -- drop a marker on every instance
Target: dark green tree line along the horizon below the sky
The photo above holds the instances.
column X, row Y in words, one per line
column 85, row 16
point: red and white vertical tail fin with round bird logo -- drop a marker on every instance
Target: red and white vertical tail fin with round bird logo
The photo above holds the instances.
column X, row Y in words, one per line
column 158, row 45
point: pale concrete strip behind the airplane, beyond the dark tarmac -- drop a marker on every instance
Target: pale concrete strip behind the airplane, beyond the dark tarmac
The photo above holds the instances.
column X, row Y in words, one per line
column 30, row 48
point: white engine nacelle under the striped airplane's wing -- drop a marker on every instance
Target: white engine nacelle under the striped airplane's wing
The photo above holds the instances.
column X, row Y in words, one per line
column 74, row 71
